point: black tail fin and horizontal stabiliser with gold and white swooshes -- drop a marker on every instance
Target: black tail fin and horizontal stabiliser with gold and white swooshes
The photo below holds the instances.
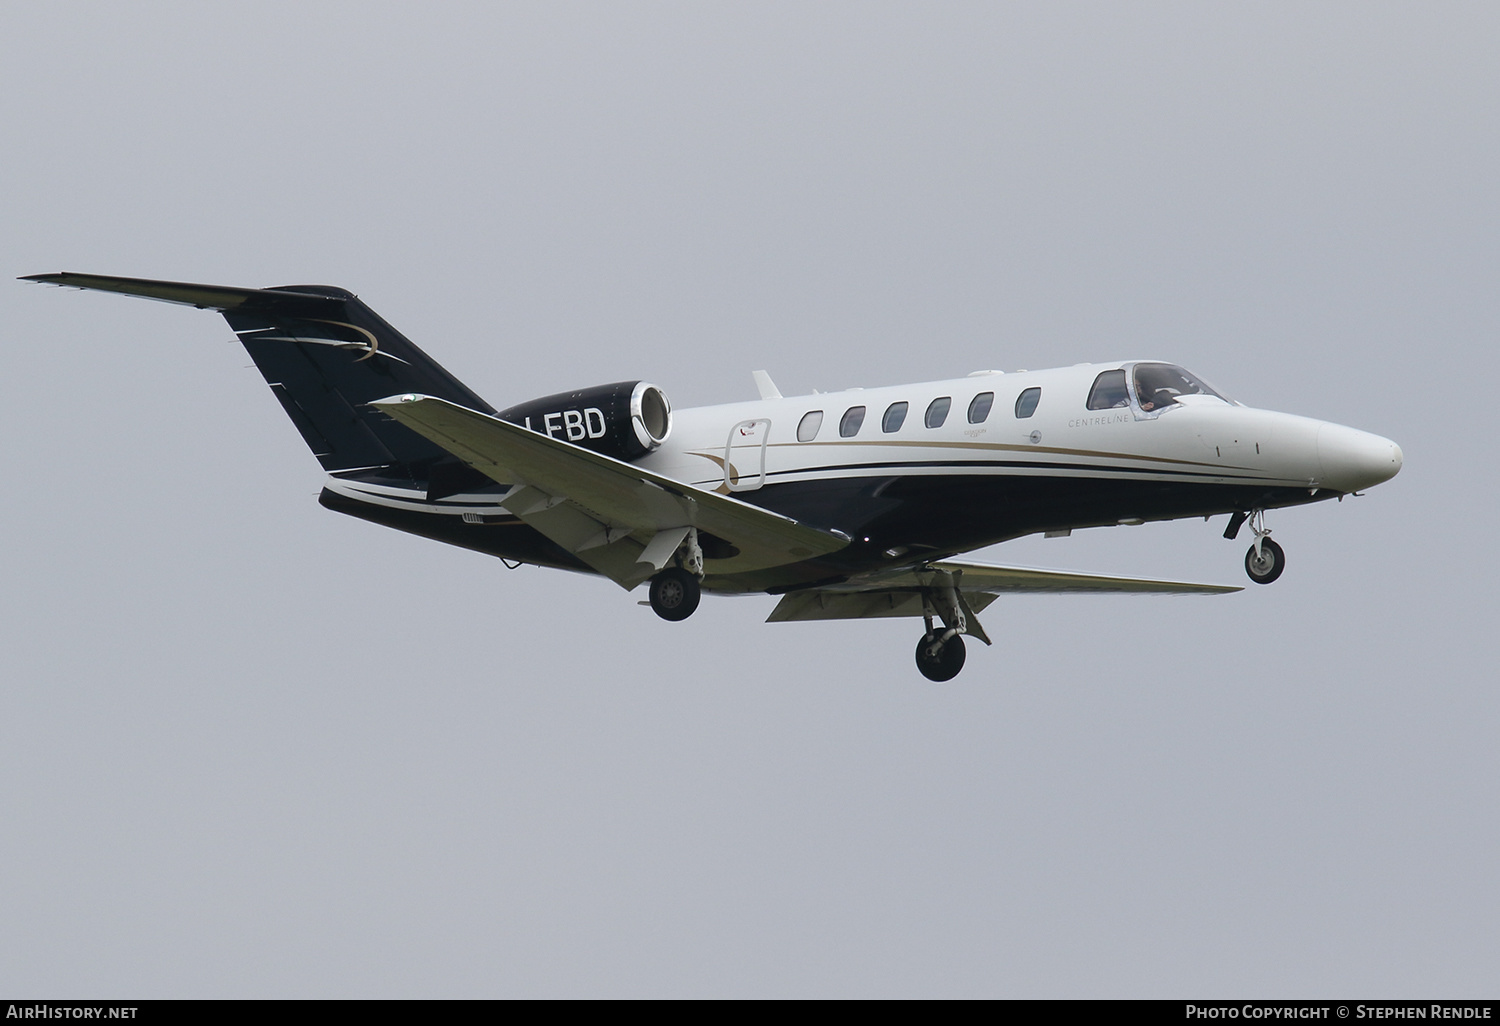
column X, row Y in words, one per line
column 326, row 356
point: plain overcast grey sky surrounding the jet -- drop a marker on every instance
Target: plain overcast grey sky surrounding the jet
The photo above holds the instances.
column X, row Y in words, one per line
column 250, row 748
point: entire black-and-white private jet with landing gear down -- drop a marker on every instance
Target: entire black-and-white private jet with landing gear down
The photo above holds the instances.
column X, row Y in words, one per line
column 847, row 505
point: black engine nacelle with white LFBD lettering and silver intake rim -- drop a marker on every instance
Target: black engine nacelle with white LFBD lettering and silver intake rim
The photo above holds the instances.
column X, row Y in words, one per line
column 626, row 421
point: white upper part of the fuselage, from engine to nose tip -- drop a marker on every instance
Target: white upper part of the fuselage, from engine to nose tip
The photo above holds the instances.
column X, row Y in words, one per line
column 742, row 448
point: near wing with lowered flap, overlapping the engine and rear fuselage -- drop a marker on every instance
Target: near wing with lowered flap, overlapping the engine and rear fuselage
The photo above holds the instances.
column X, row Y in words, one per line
column 619, row 518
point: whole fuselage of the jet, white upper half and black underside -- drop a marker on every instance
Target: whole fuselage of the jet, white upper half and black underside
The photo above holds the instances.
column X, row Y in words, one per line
column 1013, row 455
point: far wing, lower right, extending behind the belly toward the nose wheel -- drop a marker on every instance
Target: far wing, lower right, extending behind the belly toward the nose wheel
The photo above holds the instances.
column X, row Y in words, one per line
column 901, row 593
